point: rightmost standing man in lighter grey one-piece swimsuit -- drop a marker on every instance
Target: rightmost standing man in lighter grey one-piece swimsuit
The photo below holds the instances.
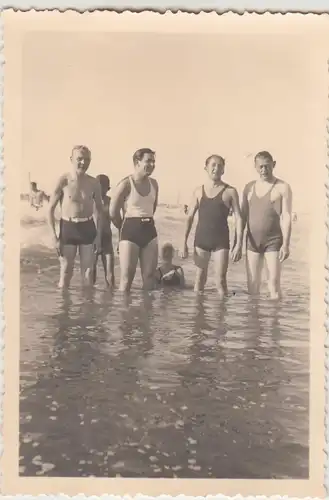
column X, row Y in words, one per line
column 267, row 213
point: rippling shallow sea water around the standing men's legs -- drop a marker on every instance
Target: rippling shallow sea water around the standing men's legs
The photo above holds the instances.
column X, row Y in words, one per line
column 167, row 384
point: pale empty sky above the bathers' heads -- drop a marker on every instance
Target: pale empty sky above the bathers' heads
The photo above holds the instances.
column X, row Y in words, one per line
column 185, row 96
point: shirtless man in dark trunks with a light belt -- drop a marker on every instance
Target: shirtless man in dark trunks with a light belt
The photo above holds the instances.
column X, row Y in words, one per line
column 79, row 195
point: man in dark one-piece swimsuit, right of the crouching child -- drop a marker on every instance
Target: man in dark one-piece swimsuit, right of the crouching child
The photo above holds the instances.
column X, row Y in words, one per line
column 213, row 201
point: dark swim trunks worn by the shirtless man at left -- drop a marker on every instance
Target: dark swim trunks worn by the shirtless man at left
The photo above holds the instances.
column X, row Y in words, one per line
column 77, row 233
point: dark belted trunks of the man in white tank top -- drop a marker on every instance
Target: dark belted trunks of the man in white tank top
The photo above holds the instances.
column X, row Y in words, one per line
column 140, row 231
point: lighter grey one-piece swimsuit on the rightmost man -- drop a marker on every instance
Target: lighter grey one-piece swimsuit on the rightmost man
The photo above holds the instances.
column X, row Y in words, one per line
column 264, row 230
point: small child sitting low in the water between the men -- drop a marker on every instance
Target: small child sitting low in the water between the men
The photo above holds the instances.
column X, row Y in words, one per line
column 168, row 274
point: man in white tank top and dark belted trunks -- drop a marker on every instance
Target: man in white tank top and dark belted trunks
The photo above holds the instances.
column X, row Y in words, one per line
column 137, row 196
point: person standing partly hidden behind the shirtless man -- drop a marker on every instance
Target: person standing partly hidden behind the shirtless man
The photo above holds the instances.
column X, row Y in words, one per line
column 106, row 250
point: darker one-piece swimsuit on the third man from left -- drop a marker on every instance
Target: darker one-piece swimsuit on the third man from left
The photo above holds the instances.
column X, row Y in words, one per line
column 212, row 231
